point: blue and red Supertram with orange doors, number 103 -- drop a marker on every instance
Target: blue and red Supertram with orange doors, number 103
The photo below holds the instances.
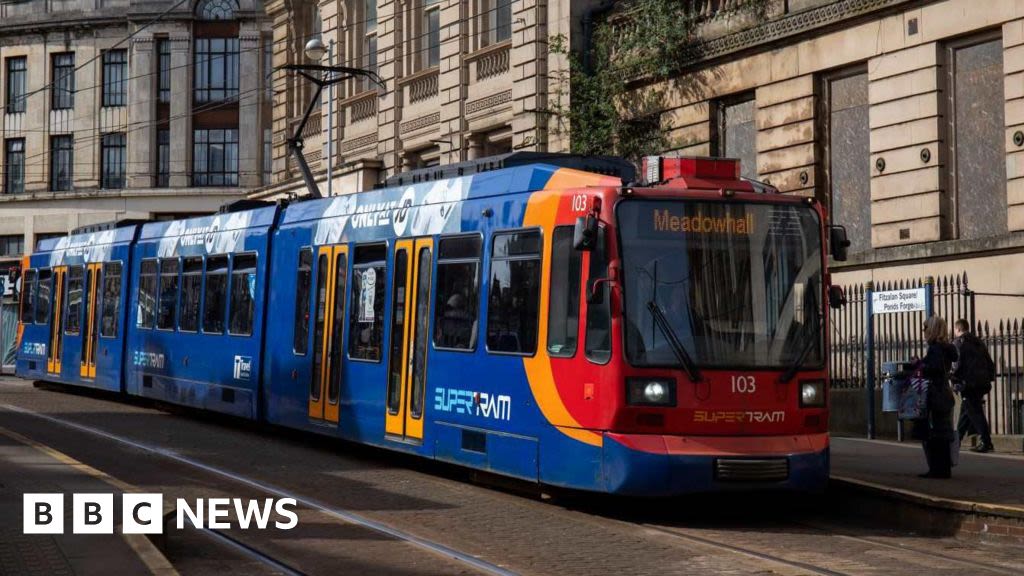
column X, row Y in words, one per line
column 539, row 316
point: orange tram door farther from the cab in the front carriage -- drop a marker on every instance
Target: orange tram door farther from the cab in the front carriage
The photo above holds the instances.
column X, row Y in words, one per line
column 329, row 330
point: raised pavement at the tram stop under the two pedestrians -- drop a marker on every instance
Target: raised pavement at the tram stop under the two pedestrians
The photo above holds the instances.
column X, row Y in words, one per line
column 996, row 482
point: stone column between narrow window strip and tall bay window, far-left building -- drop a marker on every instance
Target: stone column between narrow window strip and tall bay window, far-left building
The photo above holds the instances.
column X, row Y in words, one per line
column 182, row 141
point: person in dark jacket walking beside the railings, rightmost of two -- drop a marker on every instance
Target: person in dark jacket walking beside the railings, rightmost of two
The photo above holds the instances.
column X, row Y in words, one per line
column 971, row 378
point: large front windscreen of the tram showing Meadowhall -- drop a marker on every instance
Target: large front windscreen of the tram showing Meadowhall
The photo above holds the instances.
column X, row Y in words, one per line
column 738, row 285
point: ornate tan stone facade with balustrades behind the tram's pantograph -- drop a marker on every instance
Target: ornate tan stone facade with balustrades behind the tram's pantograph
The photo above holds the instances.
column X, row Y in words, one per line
column 463, row 80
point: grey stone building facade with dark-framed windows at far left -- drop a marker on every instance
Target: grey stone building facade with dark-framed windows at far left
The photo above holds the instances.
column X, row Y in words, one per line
column 99, row 127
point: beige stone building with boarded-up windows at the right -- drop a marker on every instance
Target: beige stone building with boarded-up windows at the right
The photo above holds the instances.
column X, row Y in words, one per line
column 907, row 118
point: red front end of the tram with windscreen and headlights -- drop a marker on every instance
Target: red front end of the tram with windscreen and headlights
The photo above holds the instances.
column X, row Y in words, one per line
column 723, row 294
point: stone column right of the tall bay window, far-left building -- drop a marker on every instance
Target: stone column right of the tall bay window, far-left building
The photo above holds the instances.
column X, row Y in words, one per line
column 250, row 127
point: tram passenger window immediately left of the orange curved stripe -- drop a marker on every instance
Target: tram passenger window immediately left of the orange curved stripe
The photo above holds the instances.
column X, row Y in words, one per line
column 514, row 298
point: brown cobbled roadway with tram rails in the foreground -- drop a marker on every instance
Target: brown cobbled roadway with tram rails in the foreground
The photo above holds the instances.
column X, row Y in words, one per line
column 527, row 536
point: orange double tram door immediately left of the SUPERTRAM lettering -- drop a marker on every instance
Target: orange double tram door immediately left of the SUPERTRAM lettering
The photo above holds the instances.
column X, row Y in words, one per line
column 410, row 335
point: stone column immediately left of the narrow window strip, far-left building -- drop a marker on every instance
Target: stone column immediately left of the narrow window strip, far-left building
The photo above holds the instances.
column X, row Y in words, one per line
column 142, row 104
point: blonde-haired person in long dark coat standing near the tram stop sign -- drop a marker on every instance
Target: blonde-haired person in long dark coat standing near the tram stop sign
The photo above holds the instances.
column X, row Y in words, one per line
column 936, row 430
